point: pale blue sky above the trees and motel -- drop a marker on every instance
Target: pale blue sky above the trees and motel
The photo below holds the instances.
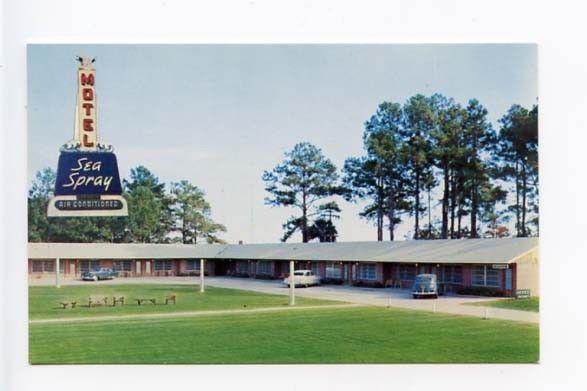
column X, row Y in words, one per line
column 219, row 115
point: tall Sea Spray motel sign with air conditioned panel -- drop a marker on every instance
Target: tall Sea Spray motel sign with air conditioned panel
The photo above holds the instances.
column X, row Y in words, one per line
column 87, row 181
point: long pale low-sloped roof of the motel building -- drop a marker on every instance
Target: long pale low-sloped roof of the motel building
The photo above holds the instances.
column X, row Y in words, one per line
column 412, row 251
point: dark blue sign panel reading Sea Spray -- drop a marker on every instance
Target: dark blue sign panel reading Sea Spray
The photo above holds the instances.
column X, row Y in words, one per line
column 87, row 173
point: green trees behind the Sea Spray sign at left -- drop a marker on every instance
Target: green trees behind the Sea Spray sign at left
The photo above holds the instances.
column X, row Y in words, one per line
column 155, row 215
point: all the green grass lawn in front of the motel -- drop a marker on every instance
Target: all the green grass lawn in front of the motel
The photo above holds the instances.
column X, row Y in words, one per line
column 328, row 335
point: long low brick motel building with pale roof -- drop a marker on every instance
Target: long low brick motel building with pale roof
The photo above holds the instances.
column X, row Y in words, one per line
column 467, row 266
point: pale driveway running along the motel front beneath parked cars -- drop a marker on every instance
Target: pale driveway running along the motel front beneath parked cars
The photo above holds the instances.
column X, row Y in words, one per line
column 385, row 297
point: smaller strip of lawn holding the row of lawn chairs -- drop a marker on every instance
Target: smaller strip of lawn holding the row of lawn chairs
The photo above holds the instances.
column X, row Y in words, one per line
column 44, row 300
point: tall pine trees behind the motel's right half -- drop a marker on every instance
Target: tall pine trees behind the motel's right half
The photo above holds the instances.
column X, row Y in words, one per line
column 429, row 151
